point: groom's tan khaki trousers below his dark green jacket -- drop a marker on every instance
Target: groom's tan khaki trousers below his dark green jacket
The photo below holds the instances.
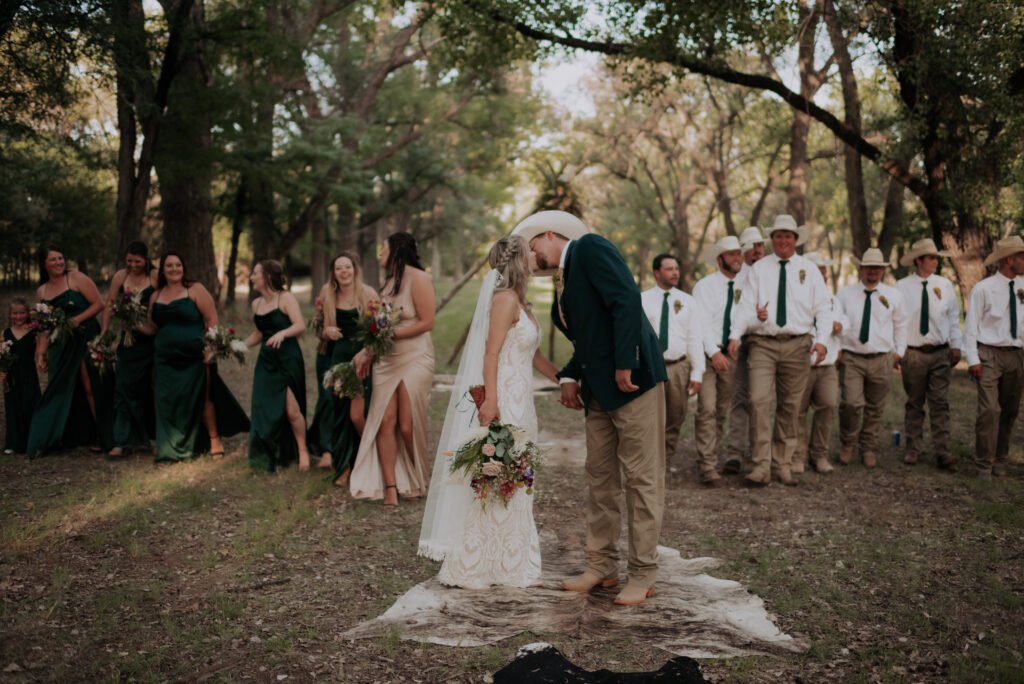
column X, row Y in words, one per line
column 626, row 451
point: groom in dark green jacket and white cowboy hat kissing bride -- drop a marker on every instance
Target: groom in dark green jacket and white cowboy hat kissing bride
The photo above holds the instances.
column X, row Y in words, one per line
column 617, row 374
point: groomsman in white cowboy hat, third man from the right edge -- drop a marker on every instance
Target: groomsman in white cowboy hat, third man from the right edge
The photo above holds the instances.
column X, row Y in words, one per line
column 873, row 348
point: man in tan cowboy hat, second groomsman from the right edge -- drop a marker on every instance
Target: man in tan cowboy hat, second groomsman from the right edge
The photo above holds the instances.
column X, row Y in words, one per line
column 934, row 345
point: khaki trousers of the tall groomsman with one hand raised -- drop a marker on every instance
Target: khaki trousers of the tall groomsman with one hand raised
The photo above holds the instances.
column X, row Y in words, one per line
column 779, row 366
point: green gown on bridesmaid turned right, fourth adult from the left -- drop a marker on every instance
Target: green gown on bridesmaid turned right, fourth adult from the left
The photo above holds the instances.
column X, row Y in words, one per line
column 272, row 444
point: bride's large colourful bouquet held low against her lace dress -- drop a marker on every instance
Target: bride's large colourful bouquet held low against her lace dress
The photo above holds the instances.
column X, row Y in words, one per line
column 499, row 461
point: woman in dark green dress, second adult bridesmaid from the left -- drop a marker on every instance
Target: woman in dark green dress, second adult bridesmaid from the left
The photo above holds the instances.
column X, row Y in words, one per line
column 134, row 411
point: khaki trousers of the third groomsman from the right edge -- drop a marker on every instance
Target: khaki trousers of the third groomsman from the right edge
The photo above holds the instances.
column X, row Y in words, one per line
column 865, row 381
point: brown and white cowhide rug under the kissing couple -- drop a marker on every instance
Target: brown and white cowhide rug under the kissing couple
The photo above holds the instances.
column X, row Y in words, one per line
column 692, row 614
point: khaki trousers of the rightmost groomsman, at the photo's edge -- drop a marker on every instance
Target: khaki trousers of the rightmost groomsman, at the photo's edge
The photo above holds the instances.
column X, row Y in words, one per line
column 999, row 403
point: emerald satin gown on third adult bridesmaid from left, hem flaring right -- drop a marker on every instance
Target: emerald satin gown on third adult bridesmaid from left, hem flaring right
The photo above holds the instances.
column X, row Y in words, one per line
column 180, row 386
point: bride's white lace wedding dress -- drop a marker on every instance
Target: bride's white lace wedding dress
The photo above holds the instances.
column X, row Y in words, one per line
column 500, row 545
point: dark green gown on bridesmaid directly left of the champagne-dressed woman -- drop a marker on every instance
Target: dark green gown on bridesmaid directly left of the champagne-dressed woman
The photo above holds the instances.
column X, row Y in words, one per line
column 334, row 432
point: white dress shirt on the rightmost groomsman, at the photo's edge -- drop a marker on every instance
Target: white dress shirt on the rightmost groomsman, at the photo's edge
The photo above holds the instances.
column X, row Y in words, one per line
column 989, row 316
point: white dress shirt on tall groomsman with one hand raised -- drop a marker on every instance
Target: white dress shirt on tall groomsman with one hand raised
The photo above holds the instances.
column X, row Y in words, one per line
column 806, row 301
